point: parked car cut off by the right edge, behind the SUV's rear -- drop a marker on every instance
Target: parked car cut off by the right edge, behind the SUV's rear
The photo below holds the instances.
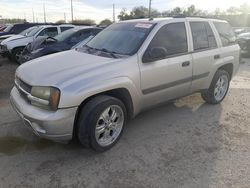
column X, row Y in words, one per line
column 244, row 42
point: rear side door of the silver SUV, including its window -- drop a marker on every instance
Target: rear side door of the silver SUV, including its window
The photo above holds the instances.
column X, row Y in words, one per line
column 205, row 53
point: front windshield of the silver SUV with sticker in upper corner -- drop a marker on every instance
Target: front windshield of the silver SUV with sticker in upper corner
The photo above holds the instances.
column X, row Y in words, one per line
column 121, row 38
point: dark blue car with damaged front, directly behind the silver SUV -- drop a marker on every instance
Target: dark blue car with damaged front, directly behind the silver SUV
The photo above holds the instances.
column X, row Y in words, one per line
column 61, row 42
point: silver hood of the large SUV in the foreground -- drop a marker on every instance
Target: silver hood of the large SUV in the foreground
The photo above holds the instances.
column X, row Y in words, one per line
column 61, row 68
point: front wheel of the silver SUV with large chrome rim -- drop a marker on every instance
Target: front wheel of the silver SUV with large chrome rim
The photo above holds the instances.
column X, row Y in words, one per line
column 90, row 118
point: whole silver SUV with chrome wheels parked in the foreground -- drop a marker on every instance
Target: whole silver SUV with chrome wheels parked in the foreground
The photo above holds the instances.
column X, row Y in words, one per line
column 90, row 92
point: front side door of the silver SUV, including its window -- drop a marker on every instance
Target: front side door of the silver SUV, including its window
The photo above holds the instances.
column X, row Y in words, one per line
column 169, row 77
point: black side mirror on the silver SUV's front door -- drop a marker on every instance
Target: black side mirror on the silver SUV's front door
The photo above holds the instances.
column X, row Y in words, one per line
column 154, row 54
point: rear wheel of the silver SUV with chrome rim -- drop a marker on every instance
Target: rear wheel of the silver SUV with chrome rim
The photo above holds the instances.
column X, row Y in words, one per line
column 209, row 95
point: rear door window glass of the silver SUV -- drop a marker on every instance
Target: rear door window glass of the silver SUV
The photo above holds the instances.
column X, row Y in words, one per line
column 203, row 36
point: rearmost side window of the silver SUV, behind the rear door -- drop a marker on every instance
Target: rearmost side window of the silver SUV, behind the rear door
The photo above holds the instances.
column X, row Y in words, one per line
column 226, row 33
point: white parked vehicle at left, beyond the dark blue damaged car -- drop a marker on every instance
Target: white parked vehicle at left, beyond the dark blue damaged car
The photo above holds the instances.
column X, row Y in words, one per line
column 12, row 47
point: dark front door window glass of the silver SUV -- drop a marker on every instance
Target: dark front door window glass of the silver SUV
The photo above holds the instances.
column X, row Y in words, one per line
column 172, row 37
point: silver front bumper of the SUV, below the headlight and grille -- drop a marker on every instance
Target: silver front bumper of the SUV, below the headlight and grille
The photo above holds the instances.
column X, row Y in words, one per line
column 53, row 125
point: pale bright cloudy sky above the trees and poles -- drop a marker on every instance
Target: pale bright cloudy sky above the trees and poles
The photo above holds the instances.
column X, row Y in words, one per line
column 97, row 9
